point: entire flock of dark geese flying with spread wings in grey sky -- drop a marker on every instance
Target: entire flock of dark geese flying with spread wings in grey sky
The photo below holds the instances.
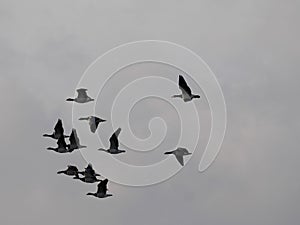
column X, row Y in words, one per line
column 89, row 175
